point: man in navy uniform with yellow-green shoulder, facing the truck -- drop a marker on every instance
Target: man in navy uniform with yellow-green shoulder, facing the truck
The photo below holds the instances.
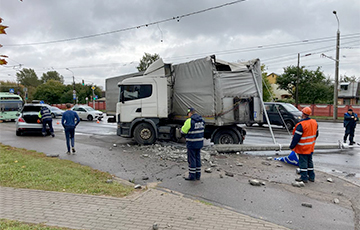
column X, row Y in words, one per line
column 193, row 129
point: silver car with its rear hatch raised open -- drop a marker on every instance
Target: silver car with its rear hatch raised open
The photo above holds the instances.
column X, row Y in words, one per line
column 28, row 120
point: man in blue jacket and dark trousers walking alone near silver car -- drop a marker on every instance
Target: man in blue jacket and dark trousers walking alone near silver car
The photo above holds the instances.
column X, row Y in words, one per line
column 70, row 119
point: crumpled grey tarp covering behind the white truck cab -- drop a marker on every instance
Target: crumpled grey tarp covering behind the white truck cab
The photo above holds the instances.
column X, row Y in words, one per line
column 216, row 88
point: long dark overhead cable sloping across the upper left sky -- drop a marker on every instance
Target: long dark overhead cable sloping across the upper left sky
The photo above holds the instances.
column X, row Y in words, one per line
column 177, row 18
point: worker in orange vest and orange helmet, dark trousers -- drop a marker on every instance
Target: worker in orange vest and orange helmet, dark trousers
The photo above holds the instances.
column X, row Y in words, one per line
column 303, row 143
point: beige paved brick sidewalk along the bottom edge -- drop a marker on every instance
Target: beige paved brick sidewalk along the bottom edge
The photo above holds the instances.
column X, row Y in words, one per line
column 168, row 210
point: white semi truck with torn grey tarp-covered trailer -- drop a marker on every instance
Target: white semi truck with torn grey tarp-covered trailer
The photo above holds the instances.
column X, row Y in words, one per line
column 152, row 106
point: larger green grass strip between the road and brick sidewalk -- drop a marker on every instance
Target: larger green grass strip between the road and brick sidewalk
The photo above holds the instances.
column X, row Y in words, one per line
column 21, row 168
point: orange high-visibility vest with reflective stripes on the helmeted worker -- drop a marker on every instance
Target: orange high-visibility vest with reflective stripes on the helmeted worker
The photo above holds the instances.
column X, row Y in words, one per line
column 306, row 144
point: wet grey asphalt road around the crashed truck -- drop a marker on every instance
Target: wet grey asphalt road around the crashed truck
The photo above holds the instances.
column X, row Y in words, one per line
column 276, row 202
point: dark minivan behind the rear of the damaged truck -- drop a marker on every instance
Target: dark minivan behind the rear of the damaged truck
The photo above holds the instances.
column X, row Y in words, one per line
column 290, row 115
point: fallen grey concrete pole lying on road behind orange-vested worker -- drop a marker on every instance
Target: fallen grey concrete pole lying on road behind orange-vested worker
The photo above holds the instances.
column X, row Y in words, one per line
column 267, row 147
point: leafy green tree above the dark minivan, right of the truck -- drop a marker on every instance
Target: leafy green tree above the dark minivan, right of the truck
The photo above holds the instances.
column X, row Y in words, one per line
column 313, row 85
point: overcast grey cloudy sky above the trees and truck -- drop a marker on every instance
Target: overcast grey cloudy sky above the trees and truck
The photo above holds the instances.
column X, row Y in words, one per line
column 41, row 34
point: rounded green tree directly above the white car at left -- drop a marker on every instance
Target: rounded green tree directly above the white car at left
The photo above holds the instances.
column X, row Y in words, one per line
column 51, row 92
